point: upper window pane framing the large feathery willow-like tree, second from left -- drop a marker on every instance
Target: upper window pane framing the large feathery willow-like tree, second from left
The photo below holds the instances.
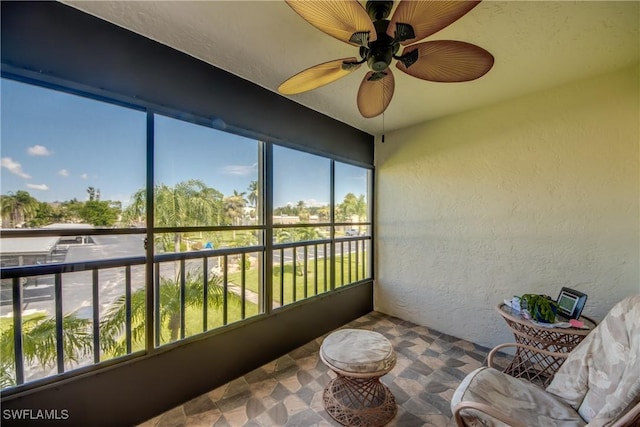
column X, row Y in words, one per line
column 203, row 176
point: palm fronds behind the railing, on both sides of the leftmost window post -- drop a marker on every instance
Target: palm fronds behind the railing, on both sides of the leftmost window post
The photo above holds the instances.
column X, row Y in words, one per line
column 113, row 322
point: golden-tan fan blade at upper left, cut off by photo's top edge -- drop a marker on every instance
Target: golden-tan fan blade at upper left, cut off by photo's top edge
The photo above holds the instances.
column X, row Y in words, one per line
column 345, row 20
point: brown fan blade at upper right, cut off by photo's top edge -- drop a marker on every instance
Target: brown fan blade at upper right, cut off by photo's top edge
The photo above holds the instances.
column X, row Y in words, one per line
column 427, row 17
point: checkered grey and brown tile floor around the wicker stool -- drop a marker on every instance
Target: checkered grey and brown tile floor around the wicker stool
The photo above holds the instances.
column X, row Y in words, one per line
column 288, row 391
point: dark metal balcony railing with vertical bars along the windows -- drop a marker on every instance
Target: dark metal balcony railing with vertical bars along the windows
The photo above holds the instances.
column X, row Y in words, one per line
column 299, row 270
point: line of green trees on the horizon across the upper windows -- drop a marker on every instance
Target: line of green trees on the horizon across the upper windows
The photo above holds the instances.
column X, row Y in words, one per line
column 188, row 203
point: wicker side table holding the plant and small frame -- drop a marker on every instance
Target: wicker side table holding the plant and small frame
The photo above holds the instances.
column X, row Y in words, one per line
column 533, row 366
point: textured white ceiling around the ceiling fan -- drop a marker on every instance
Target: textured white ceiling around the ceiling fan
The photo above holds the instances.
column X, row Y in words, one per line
column 536, row 45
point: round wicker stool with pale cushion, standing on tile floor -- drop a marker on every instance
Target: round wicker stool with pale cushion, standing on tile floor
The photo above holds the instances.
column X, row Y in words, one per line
column 356, row 397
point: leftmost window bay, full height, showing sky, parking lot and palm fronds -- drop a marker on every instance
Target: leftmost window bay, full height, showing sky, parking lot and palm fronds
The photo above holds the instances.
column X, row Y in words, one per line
column 71, row 163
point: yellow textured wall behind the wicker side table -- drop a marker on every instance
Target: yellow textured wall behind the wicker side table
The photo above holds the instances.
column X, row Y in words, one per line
column 528, row 195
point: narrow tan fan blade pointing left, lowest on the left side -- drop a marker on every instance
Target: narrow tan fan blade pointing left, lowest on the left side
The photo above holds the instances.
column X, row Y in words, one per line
column 319, row 75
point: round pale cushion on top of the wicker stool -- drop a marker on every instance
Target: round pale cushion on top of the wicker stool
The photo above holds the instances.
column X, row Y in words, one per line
column 358, row 351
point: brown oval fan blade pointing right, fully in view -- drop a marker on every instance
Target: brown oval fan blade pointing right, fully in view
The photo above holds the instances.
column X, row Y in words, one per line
column 447, row 61
